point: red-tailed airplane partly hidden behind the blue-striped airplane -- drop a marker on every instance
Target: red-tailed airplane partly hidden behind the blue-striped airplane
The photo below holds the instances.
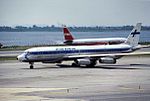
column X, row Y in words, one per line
column 70, row 40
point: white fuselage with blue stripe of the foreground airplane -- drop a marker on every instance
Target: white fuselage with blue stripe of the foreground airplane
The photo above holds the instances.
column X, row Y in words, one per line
column 58, row 53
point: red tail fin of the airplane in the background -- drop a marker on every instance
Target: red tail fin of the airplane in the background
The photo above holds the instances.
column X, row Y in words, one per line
column 67, row 34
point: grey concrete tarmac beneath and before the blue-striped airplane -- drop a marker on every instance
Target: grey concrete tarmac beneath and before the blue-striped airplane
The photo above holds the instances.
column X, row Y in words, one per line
column 128, row 80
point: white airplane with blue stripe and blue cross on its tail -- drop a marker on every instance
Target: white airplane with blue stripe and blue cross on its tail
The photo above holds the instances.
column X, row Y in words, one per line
column 84, row 55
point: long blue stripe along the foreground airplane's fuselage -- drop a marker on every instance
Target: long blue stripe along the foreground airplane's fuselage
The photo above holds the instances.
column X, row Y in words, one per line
column 79, row 51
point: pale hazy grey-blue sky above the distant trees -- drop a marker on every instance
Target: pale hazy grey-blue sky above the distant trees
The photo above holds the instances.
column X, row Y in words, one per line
column 74, row 12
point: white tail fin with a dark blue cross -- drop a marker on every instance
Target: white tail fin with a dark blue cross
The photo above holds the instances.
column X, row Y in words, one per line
column 133, row 37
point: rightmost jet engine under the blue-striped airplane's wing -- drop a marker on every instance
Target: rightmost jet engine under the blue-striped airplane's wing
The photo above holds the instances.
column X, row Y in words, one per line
column 107, row 60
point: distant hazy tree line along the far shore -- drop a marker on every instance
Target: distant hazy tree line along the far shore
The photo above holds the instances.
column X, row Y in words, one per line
column 53, row 28
